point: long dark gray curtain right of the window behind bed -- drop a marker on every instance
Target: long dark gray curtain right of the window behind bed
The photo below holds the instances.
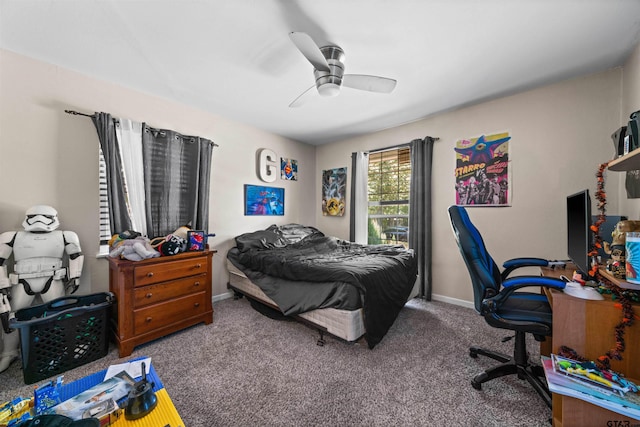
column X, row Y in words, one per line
column 420, row 233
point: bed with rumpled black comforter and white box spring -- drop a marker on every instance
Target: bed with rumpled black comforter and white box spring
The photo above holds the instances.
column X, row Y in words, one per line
column 342, row 288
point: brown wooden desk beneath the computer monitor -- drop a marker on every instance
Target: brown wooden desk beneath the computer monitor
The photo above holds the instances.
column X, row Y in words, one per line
column 588, row 327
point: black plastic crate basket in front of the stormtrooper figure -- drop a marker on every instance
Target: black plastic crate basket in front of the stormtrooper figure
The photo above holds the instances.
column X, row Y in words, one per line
column 62, row 334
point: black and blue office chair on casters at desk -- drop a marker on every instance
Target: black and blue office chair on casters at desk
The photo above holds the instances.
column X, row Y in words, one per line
column 496, row 299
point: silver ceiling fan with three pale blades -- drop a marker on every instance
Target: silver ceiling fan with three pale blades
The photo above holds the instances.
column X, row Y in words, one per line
column 328, row 64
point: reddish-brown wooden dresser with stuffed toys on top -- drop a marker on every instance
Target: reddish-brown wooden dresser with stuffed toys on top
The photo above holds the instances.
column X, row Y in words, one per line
column 159, row 296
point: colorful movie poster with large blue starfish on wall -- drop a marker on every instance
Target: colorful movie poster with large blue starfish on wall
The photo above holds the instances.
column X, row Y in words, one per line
column 482, row 171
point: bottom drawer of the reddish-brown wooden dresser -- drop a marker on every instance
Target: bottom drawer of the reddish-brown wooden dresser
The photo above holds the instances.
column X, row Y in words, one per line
column 156, row 316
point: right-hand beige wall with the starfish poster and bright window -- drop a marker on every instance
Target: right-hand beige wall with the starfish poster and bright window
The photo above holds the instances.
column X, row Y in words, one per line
column 560, row 134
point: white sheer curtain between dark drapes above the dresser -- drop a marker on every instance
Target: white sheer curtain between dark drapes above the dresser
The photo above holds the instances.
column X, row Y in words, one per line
column 129, row 136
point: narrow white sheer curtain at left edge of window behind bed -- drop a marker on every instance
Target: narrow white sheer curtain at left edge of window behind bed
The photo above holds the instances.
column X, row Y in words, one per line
column 359, row 199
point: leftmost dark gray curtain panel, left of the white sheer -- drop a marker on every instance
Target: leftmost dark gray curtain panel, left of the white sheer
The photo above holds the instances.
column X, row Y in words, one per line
column 118, row 213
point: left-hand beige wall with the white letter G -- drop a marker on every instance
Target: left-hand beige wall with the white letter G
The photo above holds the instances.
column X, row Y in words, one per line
column 50, row 157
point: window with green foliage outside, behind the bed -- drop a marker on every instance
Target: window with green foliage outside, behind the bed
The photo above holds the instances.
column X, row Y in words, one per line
column 389, row 180
